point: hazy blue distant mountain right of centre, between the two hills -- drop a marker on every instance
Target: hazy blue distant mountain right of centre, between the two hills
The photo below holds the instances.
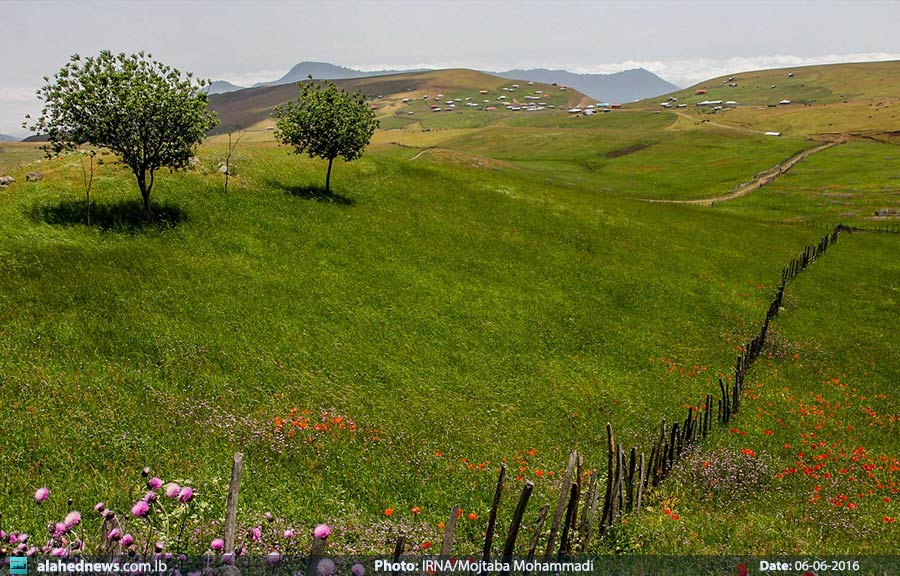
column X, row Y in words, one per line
column 626, row 86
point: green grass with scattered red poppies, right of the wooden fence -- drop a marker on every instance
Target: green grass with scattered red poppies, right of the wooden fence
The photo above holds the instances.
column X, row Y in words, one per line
column 821, row 418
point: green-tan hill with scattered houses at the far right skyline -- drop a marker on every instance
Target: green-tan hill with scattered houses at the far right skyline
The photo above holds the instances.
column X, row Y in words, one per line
column 859, row 99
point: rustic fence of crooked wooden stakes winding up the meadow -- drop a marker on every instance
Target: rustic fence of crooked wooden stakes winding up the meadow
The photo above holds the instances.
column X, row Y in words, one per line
column 579, row 513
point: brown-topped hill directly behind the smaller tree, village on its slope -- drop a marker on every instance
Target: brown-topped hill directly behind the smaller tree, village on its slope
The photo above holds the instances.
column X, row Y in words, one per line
column 250, row 107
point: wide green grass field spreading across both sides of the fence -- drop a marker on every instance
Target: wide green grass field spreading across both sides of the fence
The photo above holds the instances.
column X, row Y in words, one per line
column 500, row 297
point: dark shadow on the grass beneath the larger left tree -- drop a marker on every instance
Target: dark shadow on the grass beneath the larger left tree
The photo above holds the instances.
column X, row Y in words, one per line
column 125, row 216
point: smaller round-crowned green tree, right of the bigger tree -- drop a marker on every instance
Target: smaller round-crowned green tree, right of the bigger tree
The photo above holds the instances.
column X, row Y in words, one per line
column 326, row 122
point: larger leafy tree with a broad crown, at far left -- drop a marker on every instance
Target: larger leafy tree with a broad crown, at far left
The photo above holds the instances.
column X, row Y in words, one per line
column 148, row 113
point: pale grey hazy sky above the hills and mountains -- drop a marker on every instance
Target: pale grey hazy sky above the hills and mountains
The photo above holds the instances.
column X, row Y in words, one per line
column 684, row 42
